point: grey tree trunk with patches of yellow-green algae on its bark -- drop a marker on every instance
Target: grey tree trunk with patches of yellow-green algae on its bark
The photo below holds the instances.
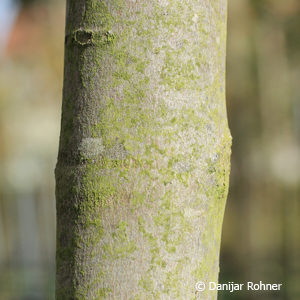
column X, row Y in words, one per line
column 143, row 164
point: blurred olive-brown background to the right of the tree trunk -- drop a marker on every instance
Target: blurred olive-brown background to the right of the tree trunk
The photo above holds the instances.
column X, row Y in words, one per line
column 261, row 226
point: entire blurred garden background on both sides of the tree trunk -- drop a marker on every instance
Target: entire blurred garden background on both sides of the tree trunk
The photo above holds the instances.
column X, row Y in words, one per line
column 261, row 234
